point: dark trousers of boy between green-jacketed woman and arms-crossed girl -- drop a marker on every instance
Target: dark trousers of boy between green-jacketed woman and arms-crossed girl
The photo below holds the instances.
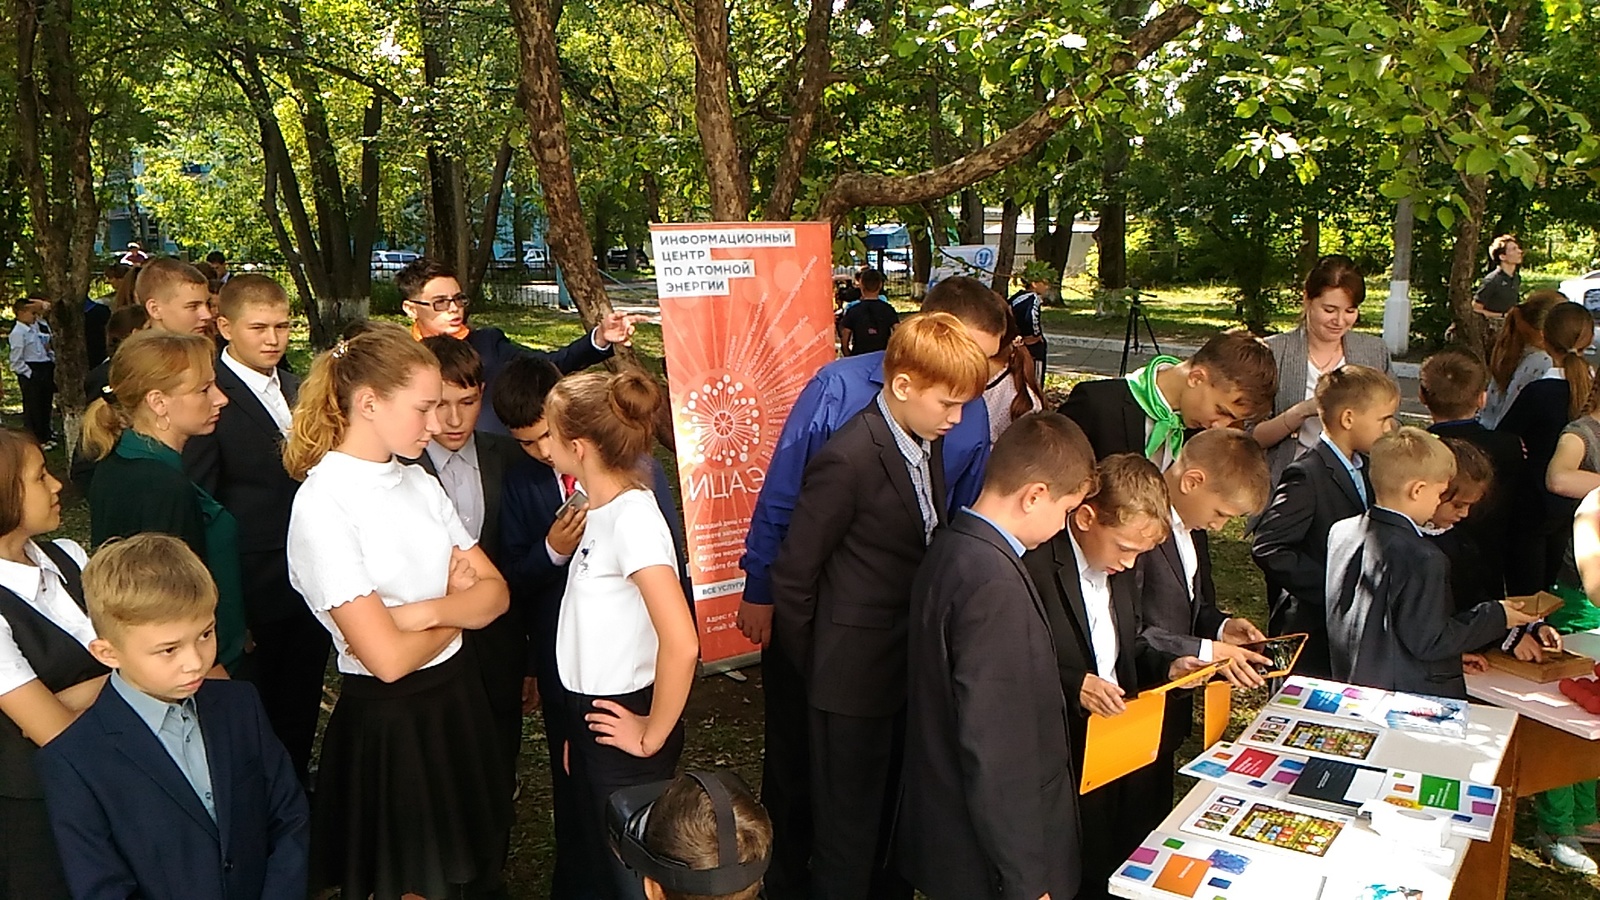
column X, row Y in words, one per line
column 290, row 654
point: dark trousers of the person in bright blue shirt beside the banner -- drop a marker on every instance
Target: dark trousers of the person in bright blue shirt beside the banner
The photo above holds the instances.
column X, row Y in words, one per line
column 786, row 777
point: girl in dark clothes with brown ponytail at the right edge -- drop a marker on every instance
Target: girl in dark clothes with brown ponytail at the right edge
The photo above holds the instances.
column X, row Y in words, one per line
column 1538, row 417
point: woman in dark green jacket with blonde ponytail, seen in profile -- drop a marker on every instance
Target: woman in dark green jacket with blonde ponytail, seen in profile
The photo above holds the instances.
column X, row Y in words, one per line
column 162, row 393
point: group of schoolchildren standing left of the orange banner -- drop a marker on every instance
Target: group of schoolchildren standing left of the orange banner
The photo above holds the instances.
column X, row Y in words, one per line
column 462, row 568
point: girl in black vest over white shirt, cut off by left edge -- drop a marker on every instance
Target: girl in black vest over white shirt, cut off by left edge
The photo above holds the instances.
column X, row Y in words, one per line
column 47, row 675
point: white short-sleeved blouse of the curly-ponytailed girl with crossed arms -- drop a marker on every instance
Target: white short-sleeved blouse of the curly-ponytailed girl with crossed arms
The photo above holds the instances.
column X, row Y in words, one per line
column 364, row 528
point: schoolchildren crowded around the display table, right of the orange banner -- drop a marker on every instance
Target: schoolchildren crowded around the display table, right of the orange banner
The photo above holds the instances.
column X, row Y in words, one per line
column 942, row 614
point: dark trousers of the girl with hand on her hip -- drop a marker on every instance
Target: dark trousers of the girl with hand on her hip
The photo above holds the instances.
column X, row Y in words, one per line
column 599, row 771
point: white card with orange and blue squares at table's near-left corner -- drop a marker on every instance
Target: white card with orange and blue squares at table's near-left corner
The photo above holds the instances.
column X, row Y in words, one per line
column 1178, row 866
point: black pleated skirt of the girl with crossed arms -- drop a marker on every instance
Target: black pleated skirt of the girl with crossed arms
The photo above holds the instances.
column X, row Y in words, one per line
column 412, row 794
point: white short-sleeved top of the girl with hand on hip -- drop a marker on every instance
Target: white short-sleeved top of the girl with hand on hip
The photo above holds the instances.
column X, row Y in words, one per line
column 606, row 643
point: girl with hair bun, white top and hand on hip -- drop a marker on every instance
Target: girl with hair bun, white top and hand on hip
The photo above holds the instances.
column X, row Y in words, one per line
column 625, row 640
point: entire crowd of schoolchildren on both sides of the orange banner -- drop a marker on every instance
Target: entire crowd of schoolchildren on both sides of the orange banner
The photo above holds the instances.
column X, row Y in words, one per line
column 943, row 603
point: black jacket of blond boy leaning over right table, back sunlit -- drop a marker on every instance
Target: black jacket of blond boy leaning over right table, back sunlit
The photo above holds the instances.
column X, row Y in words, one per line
column 1393, row 622
